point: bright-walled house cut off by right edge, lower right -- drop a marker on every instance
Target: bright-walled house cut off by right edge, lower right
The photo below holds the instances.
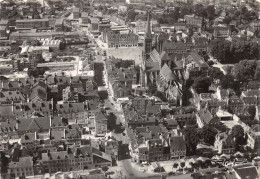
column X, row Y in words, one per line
column 253, row 140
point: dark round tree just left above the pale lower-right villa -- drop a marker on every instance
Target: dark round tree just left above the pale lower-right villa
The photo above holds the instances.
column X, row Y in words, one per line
column 208, row 134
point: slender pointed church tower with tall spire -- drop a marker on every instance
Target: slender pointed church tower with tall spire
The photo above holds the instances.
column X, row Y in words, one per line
column 148, row 38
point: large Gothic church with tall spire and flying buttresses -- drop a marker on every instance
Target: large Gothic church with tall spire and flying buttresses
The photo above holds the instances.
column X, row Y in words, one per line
column 162, row 69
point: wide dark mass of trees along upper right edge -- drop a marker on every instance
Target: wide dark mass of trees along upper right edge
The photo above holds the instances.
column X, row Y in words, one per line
column 233, row 52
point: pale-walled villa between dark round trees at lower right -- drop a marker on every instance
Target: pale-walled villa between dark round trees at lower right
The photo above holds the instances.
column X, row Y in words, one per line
column 224, row 143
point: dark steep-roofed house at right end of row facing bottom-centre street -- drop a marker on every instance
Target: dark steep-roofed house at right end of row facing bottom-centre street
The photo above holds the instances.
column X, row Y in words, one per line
column 177, row 147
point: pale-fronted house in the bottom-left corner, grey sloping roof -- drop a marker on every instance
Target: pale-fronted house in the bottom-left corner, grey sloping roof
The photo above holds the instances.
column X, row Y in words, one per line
column 23, row 167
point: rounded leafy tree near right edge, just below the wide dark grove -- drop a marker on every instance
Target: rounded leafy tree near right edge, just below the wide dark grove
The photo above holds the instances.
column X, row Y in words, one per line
column 245, row 70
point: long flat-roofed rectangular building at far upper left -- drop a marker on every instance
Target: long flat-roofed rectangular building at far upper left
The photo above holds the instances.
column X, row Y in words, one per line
column 32, row 24
